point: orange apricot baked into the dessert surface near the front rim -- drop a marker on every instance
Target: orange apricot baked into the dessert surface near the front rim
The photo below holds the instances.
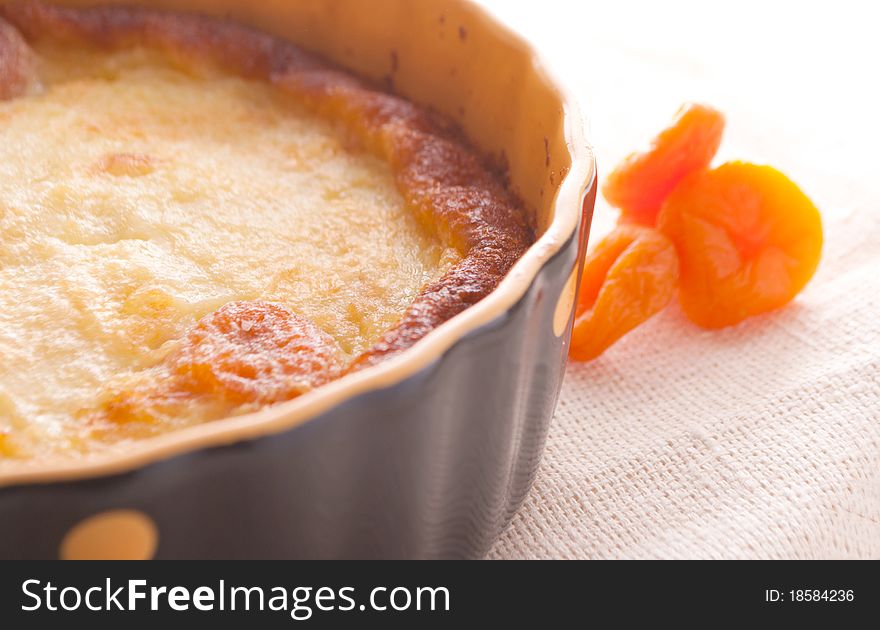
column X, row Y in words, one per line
column 256, row 352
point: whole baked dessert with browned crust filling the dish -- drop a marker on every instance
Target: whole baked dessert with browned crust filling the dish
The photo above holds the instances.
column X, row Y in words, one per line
column 198, row 220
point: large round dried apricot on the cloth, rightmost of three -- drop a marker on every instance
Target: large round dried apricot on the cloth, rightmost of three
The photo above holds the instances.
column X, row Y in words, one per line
column 748, row 240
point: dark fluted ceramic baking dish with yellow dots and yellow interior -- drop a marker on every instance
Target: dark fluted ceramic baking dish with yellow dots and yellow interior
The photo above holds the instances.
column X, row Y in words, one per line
column 427, row 455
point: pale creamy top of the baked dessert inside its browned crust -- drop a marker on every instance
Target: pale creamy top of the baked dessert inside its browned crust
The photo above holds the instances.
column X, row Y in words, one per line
column 136, row 198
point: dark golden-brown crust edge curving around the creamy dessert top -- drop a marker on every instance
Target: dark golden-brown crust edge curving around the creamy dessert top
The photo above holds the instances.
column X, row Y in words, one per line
column 445, row 184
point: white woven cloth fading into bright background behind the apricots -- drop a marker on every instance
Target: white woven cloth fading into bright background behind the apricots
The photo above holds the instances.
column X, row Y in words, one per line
column 762, row 440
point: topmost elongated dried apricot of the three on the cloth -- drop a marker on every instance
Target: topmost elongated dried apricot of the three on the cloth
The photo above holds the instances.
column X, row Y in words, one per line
column 640, row 184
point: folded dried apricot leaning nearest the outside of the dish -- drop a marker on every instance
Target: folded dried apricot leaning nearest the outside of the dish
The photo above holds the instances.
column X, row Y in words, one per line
column 630, row 276
